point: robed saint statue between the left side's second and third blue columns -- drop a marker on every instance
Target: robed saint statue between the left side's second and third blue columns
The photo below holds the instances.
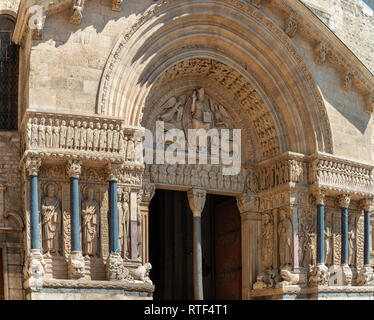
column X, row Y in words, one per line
column 90, row 213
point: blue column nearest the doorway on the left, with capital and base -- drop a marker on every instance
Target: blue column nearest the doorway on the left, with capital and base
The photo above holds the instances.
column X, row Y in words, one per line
column 115, row 269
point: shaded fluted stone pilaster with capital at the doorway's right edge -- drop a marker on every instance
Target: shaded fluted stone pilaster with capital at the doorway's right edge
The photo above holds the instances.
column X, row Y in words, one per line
column 251, row 238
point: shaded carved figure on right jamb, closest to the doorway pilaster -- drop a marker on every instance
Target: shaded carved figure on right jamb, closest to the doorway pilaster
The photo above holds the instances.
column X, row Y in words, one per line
column 267, row 240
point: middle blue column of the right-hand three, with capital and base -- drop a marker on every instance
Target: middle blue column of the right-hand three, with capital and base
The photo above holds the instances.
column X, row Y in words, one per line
column 344, row 201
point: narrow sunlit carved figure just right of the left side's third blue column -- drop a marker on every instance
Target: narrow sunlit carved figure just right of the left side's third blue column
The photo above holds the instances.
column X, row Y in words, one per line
column 124, row 222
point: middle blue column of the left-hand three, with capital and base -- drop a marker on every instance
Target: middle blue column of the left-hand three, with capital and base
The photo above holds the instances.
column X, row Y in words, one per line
column 76, row 261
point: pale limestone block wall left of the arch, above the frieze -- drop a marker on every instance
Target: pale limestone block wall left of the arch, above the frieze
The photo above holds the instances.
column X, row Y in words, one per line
column 66, row 66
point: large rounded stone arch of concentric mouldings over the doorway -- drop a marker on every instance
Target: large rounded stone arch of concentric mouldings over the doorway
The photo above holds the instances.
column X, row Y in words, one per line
column 233, row 33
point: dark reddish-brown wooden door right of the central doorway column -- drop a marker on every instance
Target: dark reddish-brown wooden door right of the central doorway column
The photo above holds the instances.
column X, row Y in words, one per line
column 228, row 251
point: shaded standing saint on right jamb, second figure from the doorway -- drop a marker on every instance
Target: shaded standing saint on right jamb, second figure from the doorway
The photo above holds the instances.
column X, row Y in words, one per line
column 285, row 240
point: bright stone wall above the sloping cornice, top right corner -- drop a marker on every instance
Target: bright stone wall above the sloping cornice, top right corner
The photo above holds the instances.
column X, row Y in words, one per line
column 352, row 21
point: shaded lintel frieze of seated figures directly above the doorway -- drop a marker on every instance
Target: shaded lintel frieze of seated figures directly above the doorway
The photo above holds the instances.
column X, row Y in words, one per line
column 204, row 176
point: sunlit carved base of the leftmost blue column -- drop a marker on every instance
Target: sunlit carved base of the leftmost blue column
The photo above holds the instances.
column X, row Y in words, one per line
column 34, row 269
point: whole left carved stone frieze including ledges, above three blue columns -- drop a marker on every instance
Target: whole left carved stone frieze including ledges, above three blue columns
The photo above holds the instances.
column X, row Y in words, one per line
column 59, row 135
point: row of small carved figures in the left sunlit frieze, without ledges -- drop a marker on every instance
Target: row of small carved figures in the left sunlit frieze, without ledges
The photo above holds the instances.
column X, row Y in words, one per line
column 79, row 135
